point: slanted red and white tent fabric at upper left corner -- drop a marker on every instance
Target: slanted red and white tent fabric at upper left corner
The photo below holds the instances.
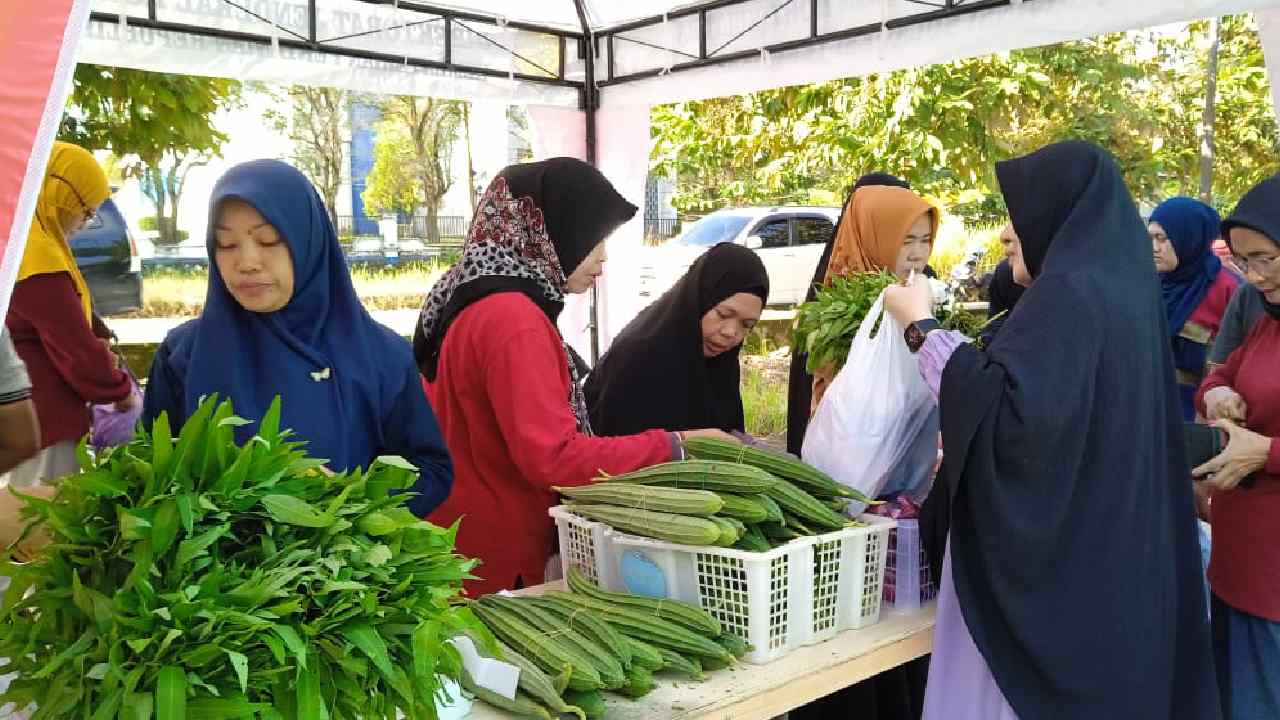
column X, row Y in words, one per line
column 38, row 61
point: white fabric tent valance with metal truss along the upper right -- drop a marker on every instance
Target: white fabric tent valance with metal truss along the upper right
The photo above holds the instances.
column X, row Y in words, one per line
column 1021, row 25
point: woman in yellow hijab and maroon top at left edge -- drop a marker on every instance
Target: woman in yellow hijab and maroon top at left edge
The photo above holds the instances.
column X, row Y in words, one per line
column 51, row 318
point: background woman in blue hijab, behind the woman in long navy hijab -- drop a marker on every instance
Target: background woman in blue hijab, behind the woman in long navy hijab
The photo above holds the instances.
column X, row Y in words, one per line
column 1195, row 285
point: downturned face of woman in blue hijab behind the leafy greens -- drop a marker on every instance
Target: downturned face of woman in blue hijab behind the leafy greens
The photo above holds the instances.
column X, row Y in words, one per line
column 253, row 258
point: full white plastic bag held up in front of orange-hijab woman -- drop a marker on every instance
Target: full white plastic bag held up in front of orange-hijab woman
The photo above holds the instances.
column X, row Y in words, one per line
column 872, row 412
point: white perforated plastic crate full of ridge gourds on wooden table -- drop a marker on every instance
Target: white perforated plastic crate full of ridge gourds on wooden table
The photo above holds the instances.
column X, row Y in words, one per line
column 803, row 593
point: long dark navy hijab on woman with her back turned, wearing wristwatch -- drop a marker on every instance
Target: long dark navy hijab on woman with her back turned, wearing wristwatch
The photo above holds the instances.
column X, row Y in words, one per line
column 1073, row 540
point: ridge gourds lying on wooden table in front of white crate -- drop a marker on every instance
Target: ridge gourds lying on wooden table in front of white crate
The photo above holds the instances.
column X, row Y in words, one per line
column 572, row 648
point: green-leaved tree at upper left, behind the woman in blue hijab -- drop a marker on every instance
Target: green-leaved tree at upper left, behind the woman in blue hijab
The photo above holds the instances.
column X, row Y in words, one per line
column 161, row 126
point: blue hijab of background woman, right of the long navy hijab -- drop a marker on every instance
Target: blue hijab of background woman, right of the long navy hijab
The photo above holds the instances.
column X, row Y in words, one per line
column 1192, row 227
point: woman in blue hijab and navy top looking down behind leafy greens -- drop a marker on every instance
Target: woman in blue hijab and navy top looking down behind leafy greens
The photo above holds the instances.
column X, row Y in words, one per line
column 282, row 318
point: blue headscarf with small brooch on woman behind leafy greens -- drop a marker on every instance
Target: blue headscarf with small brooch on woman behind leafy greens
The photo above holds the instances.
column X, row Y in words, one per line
column 337, row 371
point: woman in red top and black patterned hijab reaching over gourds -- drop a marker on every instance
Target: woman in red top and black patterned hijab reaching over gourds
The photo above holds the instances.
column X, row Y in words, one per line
column 502, row 382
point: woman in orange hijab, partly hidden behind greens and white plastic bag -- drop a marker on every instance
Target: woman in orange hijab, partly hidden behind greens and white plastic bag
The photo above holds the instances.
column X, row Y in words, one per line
column 883, row 229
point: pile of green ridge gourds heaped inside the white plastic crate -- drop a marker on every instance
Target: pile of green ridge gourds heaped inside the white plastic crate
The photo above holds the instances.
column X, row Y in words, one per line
column 729, row 496
